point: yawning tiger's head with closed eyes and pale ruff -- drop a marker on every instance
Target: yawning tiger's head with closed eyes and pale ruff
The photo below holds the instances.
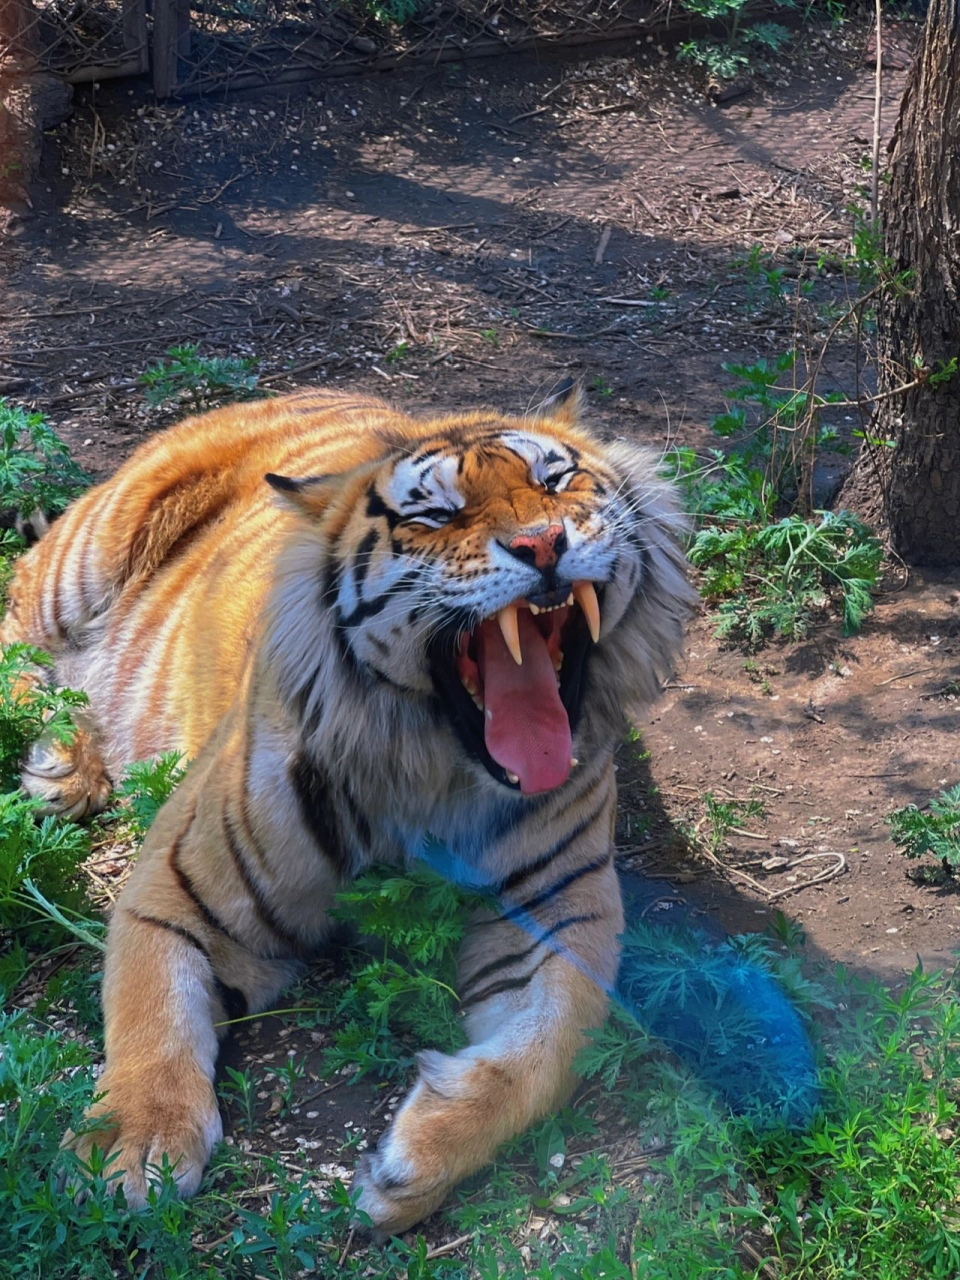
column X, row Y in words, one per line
column 516, row 577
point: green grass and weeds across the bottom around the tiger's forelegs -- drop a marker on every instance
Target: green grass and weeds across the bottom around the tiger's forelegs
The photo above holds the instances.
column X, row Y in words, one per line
column 651, row 1174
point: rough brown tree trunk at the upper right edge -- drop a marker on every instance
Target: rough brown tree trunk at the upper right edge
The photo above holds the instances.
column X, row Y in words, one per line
column 920, row 326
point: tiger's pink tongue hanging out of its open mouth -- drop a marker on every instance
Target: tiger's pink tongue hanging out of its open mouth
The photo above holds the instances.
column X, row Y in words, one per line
column 525, row 725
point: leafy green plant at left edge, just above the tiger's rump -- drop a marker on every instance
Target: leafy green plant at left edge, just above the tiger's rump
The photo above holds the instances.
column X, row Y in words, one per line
column 36, row 469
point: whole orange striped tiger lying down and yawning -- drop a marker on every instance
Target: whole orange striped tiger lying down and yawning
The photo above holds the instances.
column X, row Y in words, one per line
column 363, row 629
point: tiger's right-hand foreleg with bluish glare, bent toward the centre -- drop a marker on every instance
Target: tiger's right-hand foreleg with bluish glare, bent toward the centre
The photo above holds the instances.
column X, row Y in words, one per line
column 528, row 1004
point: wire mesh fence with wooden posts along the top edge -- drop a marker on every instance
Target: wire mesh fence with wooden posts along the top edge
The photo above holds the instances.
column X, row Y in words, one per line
column 209, row 45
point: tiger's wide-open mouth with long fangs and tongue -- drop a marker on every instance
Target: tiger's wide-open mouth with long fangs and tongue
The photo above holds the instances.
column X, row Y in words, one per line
column 514, row 687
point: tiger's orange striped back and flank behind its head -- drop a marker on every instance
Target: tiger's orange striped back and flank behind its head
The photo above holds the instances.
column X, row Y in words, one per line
column 162, row 637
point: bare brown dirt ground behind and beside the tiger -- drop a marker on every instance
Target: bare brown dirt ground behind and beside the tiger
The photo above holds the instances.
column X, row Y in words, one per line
column 474, row 235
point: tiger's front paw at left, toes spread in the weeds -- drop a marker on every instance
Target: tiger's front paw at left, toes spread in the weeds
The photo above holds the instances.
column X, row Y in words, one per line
column 138, row 1124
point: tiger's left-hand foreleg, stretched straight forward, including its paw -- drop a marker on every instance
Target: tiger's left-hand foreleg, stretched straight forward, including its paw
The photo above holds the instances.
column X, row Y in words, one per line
column 195, row 941
